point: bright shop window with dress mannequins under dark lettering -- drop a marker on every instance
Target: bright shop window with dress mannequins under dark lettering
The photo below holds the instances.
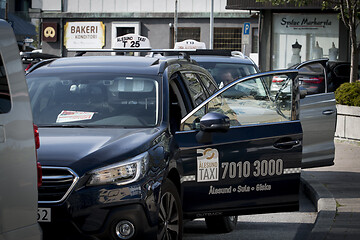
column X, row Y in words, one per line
column 302, row 37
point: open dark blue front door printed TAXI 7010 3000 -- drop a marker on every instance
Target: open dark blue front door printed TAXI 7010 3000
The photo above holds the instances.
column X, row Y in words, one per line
column 241, row 150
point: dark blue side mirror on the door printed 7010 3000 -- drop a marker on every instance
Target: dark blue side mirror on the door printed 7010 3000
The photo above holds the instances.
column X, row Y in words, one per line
column 212, row 122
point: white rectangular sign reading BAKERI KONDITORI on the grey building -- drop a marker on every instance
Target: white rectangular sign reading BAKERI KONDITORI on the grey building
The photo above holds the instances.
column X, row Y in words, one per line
column 84, row 35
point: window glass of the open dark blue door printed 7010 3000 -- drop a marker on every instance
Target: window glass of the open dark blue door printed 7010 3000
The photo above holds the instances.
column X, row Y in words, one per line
column 246, row 103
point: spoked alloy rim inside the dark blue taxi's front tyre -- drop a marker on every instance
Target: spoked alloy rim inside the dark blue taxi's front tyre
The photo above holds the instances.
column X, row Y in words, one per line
column 168, row 218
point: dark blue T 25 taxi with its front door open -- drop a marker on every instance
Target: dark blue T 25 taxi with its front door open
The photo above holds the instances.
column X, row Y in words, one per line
column 132, row 146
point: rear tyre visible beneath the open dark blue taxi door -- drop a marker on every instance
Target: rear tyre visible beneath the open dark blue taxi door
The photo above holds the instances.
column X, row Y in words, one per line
column 221, row 224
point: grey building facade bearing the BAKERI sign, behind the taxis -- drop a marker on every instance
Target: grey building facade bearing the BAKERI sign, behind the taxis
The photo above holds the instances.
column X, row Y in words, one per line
column 154, row 19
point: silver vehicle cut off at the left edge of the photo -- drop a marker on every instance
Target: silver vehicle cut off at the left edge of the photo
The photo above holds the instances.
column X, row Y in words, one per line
column 18, row 165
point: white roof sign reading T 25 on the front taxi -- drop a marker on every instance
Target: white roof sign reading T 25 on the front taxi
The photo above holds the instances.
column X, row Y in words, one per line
column 132, row 41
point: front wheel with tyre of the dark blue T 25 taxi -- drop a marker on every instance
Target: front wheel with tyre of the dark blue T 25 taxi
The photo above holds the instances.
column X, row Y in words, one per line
column 170, row 213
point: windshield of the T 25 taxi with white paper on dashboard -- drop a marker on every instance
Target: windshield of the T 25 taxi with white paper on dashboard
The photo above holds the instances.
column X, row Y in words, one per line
column 94, row 99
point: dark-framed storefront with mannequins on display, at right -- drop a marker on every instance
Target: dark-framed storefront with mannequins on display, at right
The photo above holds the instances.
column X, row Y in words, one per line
column 289, row 34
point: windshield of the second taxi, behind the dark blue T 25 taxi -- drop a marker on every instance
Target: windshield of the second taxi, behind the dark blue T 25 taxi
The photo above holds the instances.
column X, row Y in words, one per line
column 224, row 73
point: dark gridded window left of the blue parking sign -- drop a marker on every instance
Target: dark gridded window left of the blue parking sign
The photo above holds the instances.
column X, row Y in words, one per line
column 227, row 38
